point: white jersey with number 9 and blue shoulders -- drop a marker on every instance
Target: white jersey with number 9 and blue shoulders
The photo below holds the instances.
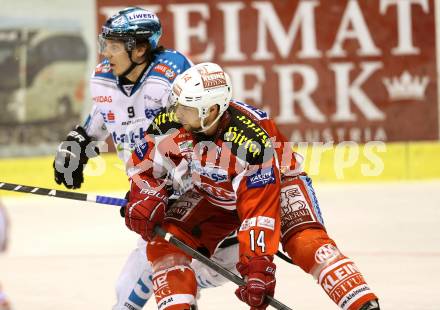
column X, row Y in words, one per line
column 125, row 112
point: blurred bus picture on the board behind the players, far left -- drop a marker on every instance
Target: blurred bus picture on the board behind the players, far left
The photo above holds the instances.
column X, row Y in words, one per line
column 42, row 83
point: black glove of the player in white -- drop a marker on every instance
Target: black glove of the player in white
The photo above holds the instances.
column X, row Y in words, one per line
column 71, row 157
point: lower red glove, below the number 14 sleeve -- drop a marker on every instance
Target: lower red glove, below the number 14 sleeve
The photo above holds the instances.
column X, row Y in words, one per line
column 259, row 275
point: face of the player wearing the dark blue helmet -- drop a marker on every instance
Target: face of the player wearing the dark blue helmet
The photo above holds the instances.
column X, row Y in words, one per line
column 118, row 57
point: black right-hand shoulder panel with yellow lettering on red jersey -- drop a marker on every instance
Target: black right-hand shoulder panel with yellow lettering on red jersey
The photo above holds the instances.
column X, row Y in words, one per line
column 247, row 135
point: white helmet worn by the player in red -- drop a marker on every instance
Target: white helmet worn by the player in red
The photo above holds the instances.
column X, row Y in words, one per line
column 202, row 86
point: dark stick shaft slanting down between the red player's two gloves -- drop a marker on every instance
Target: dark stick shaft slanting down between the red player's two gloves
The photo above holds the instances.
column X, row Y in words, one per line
column 211, row 264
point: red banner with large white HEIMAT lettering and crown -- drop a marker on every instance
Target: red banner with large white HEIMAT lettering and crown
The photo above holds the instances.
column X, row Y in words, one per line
column 355, row 70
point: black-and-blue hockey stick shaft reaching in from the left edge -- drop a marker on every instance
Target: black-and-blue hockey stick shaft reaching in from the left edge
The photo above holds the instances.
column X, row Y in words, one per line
column 62, row 194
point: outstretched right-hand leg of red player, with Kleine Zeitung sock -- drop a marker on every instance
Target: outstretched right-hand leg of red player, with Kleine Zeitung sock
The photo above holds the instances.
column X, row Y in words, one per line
column 306, row 241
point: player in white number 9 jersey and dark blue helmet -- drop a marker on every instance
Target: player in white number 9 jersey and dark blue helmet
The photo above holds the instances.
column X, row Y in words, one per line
column 128, row 89
